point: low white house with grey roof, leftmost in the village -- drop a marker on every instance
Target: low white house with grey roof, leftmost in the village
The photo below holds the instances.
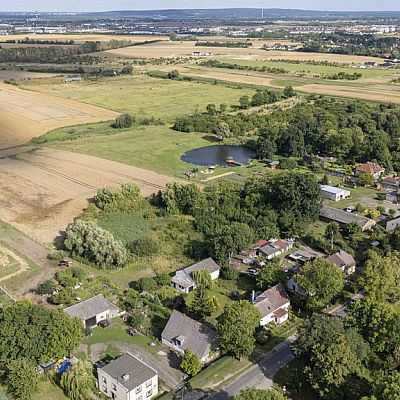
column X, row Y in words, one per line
column 93, row 311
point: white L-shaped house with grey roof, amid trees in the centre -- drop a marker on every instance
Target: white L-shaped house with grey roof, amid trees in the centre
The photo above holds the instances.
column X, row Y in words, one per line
column 183, row 279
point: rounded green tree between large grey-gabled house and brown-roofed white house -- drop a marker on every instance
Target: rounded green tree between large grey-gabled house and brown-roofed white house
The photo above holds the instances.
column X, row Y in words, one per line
column 236, row 327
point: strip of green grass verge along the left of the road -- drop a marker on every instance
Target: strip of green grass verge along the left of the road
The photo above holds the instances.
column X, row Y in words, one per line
column 219, row 371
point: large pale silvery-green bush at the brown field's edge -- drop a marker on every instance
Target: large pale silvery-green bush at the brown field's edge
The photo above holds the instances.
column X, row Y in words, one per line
column 96, row 245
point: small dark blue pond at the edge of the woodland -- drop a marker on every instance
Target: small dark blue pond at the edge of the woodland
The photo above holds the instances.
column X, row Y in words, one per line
column 218, row 155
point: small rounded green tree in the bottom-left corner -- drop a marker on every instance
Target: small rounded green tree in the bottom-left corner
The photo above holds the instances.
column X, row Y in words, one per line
column 22, row 378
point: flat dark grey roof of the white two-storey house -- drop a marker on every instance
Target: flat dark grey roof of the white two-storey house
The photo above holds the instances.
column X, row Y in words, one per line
column 128, row 364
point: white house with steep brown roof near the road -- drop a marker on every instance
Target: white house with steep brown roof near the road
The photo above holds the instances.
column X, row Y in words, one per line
column 273, row 305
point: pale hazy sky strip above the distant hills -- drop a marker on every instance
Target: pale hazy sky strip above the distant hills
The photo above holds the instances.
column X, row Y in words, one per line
column 104, row 5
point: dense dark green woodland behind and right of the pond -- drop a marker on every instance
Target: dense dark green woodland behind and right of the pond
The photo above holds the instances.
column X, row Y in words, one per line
column 347, row 129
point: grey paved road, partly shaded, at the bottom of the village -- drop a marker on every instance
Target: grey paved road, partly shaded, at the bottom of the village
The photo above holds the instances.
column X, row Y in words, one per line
column 260, row 375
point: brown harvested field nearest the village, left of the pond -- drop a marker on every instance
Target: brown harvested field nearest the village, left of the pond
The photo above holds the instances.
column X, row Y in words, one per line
column 43, row 190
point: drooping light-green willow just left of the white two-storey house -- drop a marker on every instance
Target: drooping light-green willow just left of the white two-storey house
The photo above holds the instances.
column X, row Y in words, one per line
column 78, row 381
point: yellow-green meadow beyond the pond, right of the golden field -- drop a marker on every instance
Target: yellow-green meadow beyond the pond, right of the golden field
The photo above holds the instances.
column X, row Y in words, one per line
column 141, row 95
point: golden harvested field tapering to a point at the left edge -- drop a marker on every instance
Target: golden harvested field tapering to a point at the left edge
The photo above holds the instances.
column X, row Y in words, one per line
column 25, row 114
